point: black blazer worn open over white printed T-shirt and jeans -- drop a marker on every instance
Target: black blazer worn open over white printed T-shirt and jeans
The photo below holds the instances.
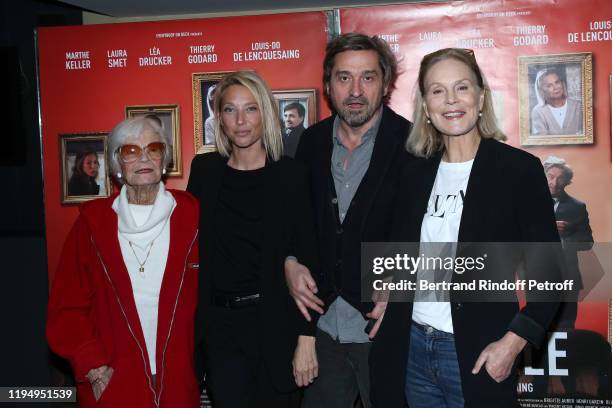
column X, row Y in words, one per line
column 507, row 200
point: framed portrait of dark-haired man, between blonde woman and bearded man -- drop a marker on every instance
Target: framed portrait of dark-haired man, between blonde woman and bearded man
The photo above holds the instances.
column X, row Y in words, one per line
column 297, row 110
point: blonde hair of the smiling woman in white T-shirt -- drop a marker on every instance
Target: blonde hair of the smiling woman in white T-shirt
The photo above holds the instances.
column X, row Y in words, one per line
column 424, row 139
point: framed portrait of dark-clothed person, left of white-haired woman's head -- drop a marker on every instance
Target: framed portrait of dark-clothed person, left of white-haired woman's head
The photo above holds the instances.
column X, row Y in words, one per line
column 83, row 166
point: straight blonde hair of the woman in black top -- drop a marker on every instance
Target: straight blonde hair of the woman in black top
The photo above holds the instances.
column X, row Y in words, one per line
column 272, row 137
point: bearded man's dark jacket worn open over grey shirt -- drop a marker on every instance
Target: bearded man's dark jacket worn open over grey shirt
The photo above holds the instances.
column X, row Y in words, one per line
column 369, row 215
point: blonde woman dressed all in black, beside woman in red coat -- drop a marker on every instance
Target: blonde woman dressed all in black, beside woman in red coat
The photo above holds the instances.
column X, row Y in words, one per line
column 255, row 211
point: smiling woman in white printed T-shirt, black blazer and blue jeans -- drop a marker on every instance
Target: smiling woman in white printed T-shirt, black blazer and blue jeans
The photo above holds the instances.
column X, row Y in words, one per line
column 467, row 188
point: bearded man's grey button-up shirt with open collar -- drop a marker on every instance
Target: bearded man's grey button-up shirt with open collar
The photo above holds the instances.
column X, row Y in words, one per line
column 342, row 321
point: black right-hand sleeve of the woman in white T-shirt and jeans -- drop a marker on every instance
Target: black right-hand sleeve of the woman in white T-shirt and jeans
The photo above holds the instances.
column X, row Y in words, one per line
column 537, row 225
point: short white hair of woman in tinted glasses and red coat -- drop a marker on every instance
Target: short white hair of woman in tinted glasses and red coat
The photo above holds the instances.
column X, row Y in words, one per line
column 134, row 127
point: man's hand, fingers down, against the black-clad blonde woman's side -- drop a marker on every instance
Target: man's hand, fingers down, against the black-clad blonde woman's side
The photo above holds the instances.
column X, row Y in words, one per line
column 303, row 288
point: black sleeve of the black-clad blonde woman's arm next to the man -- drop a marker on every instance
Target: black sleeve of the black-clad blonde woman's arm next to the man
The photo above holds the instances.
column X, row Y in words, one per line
column 303, row 238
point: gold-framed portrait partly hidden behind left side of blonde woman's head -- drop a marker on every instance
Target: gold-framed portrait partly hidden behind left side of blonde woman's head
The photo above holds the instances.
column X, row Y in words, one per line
column 204, row 85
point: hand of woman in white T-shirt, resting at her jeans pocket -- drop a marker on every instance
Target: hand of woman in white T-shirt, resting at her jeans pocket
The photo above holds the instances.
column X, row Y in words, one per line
column 498, row 357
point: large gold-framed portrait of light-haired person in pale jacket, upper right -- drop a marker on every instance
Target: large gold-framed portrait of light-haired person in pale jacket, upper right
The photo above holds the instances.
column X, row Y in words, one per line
column 556, row 99
